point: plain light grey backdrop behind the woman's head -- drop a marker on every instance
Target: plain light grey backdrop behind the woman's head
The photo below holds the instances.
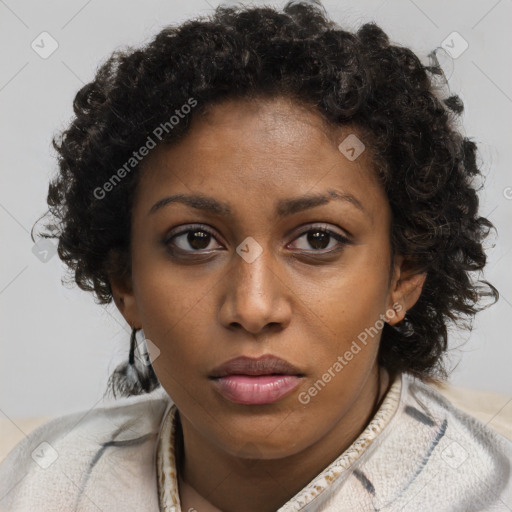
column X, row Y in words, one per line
column 57, row 346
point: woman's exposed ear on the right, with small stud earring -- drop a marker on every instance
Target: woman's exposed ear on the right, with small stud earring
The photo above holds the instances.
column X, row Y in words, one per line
column 405, row 289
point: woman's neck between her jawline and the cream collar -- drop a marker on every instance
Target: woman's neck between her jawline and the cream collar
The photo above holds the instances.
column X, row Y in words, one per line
column 212, row 480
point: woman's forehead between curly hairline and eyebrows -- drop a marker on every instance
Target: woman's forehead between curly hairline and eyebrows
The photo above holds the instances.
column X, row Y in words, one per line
column 262, row 150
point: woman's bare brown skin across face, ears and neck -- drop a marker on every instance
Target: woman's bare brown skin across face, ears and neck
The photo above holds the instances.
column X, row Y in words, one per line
column 296, row 300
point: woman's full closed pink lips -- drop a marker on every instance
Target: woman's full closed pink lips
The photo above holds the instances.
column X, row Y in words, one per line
column 264, row 380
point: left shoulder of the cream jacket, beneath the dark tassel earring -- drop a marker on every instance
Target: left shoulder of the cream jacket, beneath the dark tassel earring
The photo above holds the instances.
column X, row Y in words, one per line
column 103, row 457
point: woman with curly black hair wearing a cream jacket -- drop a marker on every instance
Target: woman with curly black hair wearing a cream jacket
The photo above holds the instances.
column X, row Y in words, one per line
column 287, row 213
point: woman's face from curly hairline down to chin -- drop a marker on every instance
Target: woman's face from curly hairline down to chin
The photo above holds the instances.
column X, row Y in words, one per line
column 246, row 272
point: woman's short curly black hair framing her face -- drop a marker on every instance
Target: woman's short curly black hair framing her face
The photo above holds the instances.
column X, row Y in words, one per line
column 428, row 168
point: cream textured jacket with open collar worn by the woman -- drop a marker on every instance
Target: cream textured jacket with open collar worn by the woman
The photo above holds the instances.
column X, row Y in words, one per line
column 425, row 455
